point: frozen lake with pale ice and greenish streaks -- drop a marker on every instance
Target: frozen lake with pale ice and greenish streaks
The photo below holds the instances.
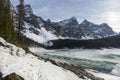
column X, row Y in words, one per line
column 104, row 60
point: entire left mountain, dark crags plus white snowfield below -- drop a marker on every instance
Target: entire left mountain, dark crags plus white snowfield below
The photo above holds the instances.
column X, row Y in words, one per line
column 33, row 26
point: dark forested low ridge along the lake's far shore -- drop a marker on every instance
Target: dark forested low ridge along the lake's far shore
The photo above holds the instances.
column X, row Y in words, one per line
column 113, row 41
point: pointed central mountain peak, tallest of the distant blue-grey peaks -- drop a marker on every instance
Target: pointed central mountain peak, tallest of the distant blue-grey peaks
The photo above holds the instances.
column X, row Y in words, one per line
column 69, row 27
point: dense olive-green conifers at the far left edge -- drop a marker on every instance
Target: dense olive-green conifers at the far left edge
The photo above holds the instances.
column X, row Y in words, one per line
column 6, row 22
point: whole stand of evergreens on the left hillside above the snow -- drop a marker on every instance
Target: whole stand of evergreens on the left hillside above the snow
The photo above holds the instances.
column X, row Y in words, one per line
column 8, row 28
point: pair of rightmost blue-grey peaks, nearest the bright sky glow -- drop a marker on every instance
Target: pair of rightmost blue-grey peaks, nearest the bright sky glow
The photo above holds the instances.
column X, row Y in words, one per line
column 92, row 30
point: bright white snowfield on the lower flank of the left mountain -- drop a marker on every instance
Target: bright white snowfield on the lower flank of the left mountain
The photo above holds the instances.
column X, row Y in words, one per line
column 42, row 36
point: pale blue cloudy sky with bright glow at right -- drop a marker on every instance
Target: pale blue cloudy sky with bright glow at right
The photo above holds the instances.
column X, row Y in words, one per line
column 96, row 11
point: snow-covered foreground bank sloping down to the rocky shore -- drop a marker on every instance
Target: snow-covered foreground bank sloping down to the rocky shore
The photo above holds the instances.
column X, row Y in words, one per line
column 28, row 66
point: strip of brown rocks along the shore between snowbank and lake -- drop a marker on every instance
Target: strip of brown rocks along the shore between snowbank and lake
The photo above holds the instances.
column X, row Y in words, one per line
column 78, row 70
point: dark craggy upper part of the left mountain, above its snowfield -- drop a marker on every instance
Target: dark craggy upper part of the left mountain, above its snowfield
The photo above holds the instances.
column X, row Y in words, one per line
column 28, row 17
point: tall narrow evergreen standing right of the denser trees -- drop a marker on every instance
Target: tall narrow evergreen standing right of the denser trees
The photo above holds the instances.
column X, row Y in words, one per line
column 20, row 19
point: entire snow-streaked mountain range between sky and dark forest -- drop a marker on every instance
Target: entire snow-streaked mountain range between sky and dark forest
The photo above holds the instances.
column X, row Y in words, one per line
column 40, row 30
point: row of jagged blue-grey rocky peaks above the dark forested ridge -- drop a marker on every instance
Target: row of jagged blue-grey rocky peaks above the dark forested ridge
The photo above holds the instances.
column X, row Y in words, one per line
column 86, row 30
